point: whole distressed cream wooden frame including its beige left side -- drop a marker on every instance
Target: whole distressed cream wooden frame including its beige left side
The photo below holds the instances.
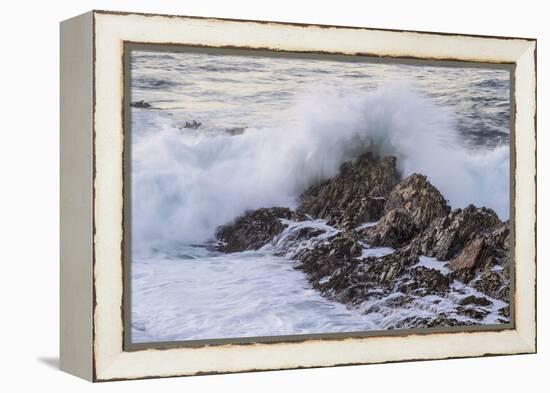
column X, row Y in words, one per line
column 92, row 196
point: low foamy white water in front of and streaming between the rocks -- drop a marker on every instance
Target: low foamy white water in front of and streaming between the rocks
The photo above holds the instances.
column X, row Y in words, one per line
column 192, row 293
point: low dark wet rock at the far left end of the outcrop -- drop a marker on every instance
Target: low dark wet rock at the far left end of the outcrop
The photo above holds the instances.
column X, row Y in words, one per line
column 253, row 230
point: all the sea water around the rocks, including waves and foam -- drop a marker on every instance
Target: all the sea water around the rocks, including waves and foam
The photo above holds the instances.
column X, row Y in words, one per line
column 296, row 121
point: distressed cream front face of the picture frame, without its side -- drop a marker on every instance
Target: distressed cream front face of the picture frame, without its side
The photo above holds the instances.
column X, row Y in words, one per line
column 109, row 360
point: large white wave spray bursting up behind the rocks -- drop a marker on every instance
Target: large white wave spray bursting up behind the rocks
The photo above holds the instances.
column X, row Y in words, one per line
column 186, row 183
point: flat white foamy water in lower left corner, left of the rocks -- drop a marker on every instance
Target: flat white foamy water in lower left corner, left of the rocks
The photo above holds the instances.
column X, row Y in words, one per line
column 235, row 295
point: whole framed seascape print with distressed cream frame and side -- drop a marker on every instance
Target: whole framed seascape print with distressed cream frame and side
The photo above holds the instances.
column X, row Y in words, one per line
column 245, row 195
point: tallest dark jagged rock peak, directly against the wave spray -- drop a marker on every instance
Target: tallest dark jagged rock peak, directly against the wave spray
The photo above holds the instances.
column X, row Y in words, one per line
column 356, row 195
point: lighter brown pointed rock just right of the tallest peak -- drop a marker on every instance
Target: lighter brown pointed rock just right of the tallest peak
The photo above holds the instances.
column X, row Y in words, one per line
column 410, row 207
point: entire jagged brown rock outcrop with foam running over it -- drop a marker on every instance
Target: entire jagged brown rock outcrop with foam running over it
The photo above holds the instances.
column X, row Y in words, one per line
column 379, row 243
